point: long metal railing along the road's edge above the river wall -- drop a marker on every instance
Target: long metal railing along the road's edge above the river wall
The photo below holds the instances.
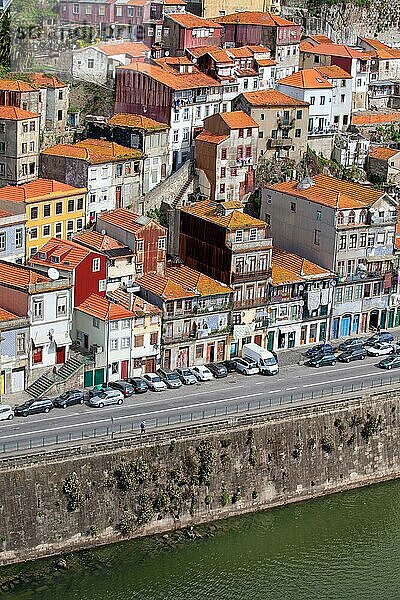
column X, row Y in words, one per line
column 115, row 430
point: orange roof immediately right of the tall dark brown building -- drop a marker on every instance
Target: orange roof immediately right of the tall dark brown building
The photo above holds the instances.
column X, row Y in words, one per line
column 291, row 268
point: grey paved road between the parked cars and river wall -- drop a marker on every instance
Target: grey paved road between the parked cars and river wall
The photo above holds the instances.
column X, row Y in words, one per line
column 233, row 394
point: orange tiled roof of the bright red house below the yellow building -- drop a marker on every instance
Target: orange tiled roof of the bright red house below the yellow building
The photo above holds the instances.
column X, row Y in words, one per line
column 70, row 254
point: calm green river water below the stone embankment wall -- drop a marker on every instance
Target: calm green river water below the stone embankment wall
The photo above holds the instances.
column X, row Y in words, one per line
column 340, row 547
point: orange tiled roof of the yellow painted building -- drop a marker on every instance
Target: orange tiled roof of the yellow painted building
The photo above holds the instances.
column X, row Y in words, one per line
column 41, row 188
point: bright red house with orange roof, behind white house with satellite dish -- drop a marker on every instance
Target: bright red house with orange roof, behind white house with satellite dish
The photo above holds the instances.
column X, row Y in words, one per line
column 86, row 268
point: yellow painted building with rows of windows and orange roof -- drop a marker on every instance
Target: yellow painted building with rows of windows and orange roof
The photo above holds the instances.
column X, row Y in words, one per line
column 53, row 209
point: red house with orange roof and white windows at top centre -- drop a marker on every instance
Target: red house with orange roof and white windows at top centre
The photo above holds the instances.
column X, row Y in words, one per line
column 184, row 30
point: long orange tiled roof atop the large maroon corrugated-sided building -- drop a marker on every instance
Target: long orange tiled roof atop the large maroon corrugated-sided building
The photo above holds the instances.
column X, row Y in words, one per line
column 175, row 81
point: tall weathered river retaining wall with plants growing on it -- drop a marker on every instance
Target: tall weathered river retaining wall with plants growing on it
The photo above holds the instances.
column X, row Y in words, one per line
column 84, row 496
